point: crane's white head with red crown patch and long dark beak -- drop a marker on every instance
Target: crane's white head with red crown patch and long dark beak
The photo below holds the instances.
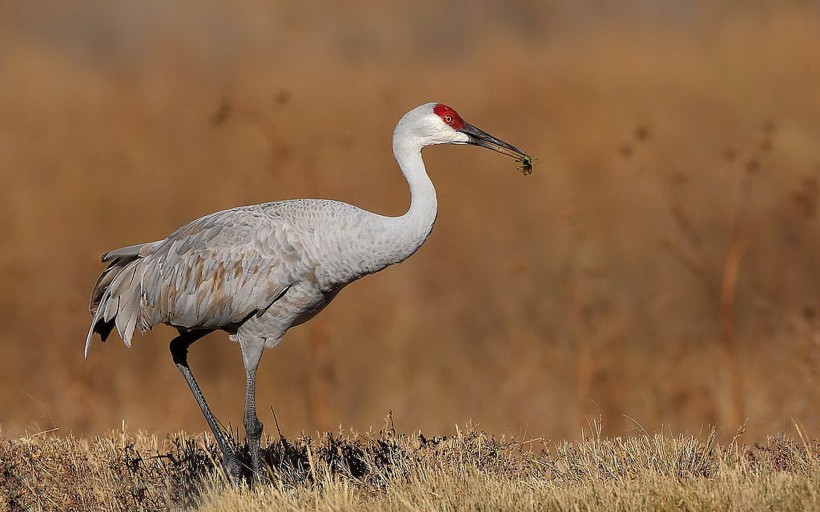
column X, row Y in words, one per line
column 436, row 123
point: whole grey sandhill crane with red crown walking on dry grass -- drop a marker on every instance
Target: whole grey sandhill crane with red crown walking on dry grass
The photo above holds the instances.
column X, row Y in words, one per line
column 256, row 271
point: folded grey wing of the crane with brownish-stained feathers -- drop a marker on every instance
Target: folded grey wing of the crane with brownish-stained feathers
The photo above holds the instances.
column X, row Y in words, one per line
column 219, row 270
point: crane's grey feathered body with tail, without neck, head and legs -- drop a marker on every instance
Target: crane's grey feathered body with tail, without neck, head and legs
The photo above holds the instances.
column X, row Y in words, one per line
column 252, row 271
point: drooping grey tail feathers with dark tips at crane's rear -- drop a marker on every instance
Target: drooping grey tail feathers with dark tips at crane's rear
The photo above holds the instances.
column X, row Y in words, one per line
column 116, row 297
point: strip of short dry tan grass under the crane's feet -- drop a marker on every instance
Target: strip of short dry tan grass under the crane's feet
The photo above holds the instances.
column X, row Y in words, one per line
column 468, row 470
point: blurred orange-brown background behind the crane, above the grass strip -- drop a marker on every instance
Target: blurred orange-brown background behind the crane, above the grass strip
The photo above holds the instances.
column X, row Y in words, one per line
column 659, row 269
